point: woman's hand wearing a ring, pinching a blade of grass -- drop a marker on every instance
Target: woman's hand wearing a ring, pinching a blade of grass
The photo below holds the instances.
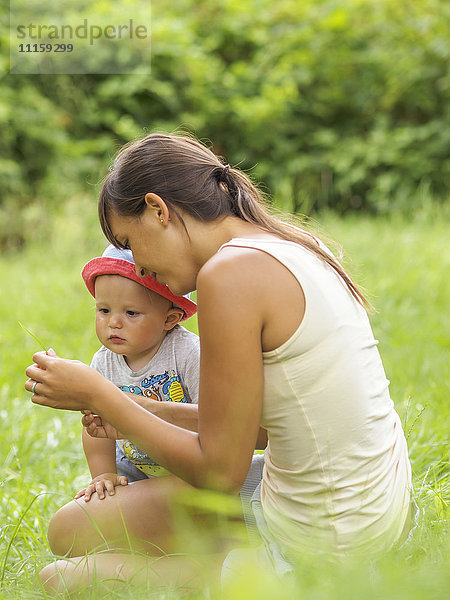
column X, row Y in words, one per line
column 62, row 383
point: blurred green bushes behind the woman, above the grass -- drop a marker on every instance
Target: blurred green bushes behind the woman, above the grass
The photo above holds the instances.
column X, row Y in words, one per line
column 328, row 104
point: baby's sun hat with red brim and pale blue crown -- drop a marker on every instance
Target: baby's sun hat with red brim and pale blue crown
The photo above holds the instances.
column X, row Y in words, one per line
column 118, row 261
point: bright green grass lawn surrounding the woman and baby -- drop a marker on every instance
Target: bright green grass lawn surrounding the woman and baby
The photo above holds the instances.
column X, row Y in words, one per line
column 403, row 266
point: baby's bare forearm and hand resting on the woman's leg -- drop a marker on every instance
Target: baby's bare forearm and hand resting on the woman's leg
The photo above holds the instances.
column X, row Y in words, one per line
column 101, row 459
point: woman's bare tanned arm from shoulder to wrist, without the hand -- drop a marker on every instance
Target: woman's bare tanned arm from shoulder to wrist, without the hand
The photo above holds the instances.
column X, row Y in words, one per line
column 231, row 386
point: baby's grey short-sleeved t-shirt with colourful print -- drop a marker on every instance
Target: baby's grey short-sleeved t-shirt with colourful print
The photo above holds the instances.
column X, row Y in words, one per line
column 171, row 375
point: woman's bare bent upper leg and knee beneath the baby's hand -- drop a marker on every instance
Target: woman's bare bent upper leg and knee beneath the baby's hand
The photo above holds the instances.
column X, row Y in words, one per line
column 156, row 516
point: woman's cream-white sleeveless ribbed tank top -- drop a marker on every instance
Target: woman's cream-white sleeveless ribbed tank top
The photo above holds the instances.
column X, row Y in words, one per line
column 336, row 469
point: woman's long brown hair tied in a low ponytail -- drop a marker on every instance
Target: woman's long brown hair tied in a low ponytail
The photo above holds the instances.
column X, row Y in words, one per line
column 187, row 175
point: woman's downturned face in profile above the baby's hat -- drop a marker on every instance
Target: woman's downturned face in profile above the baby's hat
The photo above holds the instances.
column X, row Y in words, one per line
column 161, row 250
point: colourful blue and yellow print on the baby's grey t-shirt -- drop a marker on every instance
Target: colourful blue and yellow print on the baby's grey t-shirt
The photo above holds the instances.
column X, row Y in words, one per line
column 164, row 387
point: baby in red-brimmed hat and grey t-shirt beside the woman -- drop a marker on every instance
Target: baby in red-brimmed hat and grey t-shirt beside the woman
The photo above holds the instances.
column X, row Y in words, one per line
column 145, row 352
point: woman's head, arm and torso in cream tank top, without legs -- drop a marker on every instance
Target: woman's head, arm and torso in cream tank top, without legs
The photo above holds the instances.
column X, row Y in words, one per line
column 285, row 344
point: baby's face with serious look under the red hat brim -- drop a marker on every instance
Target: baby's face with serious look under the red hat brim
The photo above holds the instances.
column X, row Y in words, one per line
column 130, row 319
